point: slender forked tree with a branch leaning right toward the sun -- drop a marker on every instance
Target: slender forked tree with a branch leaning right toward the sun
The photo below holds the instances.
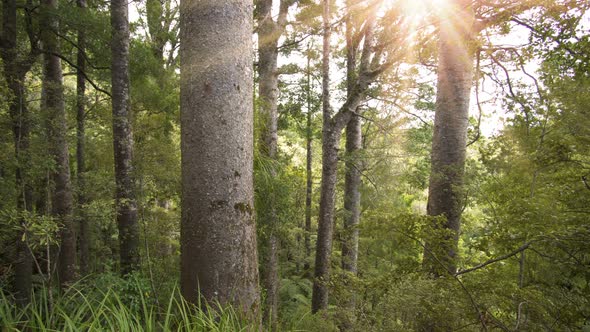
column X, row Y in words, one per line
column 375, row 59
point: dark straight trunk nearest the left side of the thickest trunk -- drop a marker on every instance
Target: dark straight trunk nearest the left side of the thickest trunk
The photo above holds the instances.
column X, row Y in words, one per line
column 123, row 139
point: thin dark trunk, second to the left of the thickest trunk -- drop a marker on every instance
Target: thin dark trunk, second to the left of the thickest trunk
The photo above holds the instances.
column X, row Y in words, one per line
column 84, row 237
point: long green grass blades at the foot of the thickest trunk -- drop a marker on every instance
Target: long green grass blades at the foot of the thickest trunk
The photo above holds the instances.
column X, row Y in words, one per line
column 86, row 308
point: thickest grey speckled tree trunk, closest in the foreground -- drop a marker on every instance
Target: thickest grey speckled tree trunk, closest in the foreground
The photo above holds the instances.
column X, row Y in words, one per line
column 218, row 233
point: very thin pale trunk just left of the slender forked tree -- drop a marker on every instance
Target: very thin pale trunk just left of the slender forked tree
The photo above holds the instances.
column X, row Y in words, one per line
column 309, row 181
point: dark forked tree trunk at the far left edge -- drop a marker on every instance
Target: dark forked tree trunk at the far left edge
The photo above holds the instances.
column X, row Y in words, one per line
column 15, row 70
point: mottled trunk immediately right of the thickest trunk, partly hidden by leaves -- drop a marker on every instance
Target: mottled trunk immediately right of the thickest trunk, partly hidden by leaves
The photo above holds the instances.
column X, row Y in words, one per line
column 269, row 33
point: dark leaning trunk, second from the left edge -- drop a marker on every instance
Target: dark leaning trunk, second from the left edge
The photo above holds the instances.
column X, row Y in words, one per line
column 62, row 198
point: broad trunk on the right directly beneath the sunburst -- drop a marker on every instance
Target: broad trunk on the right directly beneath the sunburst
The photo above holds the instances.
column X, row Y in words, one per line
column 445, row 193
